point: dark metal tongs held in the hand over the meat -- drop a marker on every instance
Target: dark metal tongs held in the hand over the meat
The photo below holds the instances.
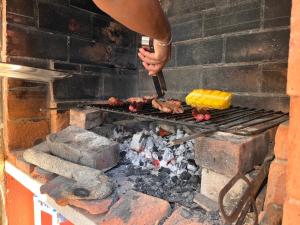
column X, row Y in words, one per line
column 158, row 79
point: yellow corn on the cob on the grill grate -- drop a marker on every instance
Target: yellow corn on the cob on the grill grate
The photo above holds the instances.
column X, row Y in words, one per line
column 212, row 99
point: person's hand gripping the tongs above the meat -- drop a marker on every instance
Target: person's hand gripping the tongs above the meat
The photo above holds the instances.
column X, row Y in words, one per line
column 155, row 61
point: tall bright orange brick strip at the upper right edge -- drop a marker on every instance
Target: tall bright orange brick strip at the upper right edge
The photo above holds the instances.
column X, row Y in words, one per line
column 294, row 53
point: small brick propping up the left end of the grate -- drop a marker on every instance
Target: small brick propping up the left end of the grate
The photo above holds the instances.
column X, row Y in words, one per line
column 86, row 118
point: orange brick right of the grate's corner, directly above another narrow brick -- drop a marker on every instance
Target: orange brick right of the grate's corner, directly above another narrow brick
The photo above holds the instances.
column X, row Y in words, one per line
column 281, row 141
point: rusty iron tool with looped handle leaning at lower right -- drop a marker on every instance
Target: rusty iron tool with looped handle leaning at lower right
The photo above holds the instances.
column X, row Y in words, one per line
column 247, row 201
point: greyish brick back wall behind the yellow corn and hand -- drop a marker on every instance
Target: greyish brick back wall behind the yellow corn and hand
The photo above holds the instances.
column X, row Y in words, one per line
column 233, row 45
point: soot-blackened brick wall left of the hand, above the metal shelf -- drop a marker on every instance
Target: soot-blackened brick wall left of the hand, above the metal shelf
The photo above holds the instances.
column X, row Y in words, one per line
column 72, row 36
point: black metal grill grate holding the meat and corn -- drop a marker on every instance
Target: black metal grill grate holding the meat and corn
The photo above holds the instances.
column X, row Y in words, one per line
column 236, row 120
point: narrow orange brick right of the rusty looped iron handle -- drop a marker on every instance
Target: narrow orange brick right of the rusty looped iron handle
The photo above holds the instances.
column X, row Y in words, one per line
column 276, row 189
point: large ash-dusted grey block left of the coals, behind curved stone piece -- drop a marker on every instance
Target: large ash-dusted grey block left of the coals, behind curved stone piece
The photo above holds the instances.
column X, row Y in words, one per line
column 85, row 148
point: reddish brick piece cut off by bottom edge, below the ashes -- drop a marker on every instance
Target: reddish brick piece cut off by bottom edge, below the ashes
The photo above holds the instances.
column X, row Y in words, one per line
column 177, row 218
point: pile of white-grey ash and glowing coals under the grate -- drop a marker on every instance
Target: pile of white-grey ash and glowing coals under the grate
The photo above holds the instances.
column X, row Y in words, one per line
column 151, row 166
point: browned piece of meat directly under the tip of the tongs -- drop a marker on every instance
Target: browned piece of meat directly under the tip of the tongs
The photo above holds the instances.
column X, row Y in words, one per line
column 169, row 106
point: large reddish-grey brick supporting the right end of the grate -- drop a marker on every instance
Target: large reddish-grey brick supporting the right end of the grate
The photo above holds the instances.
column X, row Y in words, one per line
column 229, row 154
